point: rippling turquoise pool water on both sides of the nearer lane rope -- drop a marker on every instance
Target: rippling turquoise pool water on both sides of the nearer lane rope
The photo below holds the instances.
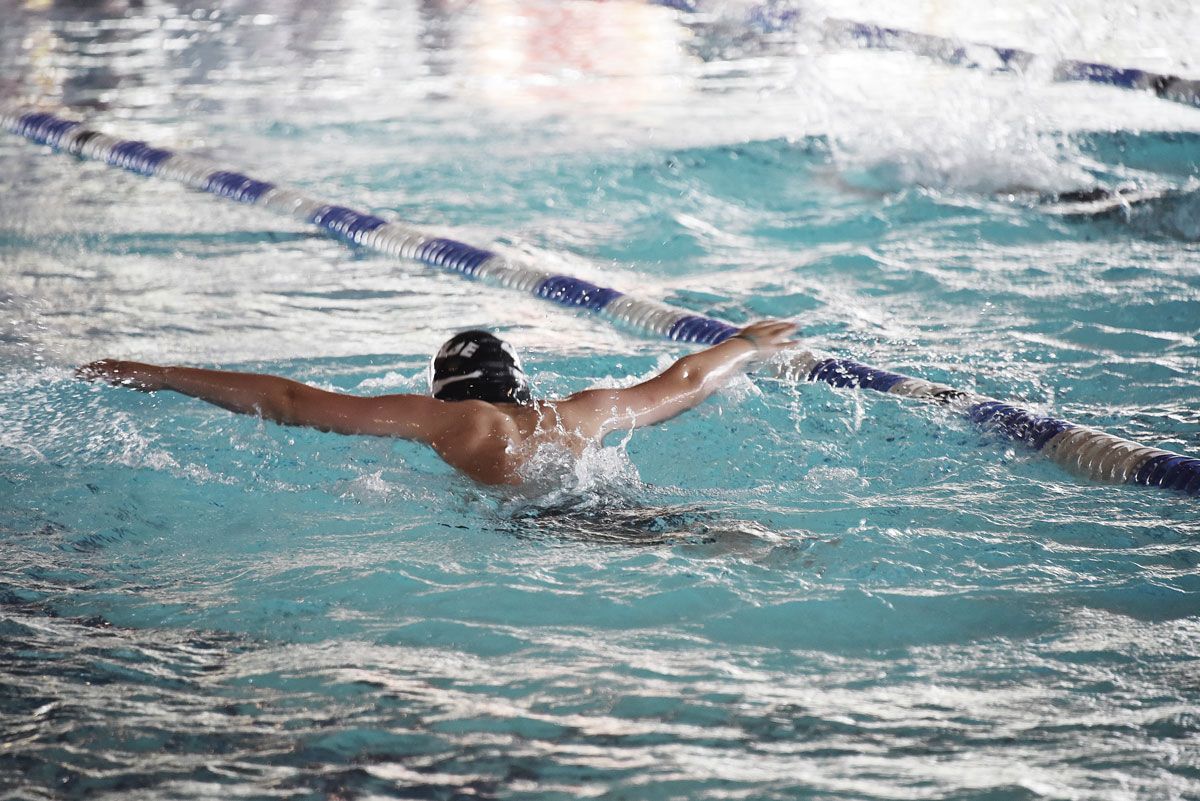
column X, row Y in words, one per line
column 795, row 592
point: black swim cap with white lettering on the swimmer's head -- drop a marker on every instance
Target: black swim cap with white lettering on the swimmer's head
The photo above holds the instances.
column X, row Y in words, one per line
column 477, row 366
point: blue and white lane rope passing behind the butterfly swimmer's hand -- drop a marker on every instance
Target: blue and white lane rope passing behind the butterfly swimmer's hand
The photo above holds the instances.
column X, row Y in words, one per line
column 1082, row 450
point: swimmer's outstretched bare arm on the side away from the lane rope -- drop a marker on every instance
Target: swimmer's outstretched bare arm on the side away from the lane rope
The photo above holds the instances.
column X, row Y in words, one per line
column 284, row 401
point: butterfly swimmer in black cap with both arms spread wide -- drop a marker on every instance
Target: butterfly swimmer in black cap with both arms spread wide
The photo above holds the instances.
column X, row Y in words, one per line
column 479, row 417
